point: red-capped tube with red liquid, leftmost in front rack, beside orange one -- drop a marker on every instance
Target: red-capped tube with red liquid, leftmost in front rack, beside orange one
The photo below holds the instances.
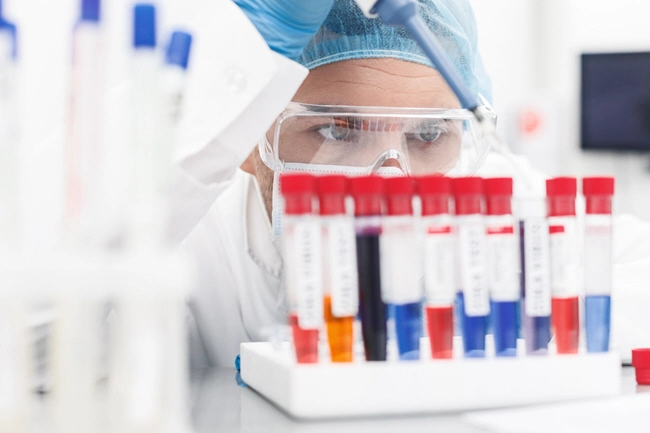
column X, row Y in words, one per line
column 301, row 252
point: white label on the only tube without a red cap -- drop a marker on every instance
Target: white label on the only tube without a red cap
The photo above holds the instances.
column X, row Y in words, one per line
column 536, row 268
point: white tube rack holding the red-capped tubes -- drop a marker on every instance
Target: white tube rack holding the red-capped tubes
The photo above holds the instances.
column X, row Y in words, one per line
column 327, row 390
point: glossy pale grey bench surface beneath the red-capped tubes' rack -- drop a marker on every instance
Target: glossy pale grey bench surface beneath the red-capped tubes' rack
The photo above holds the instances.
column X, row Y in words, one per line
column 220, row 405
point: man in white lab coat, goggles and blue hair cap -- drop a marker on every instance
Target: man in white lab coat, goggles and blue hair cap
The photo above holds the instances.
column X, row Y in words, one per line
column 257, row 62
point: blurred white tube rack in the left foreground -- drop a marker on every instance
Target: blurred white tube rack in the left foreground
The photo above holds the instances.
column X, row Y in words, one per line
column 147, row 382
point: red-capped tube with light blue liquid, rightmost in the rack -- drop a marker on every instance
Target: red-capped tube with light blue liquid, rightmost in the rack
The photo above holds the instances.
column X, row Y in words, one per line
column 598, row 192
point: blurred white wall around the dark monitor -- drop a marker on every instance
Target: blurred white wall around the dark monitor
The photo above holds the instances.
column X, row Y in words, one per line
column 532, row 49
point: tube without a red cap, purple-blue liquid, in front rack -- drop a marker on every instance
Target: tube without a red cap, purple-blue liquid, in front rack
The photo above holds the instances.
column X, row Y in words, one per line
column 535, row 273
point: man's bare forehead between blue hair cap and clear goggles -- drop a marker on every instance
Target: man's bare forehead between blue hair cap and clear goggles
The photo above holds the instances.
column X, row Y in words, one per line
column 367, row 82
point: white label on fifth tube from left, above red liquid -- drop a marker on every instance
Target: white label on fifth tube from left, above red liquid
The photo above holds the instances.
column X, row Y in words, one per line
column 439, row 265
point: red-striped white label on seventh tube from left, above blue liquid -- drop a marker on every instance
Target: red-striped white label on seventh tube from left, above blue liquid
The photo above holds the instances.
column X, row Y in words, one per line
column 503, row 260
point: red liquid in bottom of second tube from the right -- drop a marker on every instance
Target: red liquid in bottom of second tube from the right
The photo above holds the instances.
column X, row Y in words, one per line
column 566, row 323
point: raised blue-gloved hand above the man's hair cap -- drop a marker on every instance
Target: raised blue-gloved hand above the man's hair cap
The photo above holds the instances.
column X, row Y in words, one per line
column 286, row 25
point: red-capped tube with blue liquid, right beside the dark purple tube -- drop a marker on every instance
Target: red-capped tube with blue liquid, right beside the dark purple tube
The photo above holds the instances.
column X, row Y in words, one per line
column 401, row 267
